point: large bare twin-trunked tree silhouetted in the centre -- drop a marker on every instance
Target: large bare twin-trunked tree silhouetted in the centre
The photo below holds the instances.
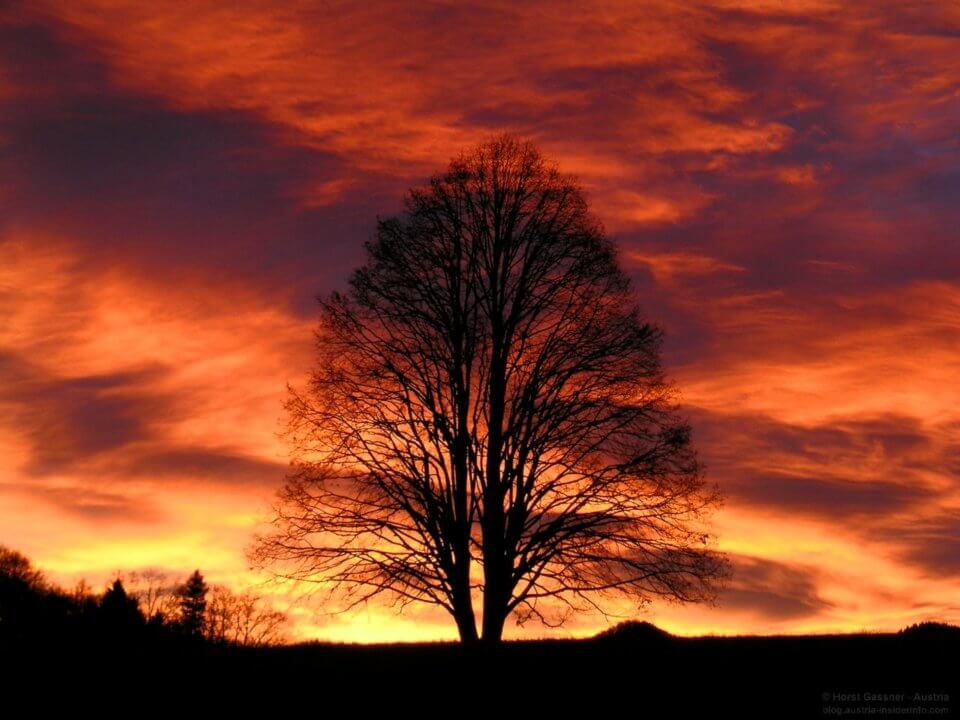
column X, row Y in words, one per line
column 487, row 401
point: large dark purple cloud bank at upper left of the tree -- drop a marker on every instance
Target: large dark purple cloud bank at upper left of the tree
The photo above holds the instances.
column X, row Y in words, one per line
column 129, row 178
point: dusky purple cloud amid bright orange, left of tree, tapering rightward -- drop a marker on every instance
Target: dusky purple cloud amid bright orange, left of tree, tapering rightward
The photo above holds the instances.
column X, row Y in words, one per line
column 91, row 424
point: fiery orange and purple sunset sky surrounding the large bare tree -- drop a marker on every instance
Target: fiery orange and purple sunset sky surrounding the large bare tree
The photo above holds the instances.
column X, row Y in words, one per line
column 179, row 181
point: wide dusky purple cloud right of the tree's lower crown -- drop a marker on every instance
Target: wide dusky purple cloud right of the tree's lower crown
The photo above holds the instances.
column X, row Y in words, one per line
column 819, row 471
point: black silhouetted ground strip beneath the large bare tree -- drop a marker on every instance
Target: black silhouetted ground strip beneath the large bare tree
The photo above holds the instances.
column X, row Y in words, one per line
column 638, row 671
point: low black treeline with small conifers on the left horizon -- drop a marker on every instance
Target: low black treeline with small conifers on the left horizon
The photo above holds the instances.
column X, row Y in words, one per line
column 138, row 608
